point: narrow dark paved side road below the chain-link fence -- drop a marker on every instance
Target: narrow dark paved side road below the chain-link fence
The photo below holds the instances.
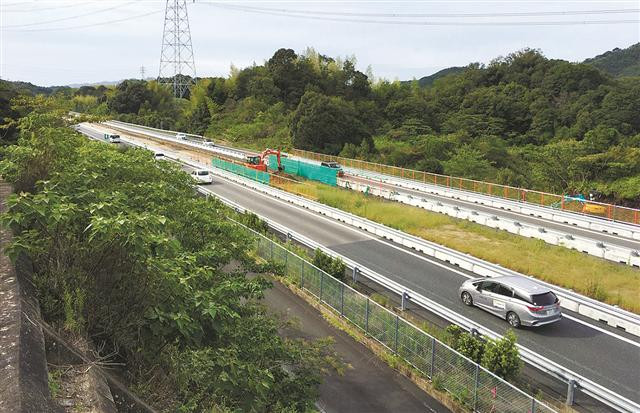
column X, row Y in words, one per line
column 370, row 385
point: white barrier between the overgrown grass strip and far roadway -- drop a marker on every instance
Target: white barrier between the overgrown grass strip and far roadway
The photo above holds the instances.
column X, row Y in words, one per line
column 590, row 246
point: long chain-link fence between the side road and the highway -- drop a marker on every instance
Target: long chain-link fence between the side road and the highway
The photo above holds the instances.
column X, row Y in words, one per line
column 469, row 383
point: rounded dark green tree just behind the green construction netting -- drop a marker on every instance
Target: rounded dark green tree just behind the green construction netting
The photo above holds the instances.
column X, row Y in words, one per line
column 322, row 123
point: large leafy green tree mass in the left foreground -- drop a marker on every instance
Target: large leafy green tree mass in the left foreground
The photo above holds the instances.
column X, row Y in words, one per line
column 125, row 252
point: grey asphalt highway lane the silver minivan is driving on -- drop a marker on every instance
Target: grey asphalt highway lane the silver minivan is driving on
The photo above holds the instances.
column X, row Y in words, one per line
column 608, row 357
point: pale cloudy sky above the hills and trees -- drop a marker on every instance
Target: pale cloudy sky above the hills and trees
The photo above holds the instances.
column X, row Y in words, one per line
column 60, row 42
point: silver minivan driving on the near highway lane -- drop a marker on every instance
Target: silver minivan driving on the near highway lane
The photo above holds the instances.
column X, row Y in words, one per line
column 518, row 300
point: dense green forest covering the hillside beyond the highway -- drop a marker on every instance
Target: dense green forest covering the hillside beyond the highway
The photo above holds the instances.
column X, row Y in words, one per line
column 523, row 120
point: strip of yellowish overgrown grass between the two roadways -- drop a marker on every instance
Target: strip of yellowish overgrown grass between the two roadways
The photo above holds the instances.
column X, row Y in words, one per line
column 608, row 282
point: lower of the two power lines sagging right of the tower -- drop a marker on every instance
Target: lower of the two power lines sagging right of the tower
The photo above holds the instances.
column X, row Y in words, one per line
column 426, row 23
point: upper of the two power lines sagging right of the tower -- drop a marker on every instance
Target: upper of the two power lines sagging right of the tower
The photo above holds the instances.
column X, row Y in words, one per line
column 433, row 15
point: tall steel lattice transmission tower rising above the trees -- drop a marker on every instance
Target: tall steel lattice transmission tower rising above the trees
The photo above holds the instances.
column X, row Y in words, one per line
column 177, row 66
